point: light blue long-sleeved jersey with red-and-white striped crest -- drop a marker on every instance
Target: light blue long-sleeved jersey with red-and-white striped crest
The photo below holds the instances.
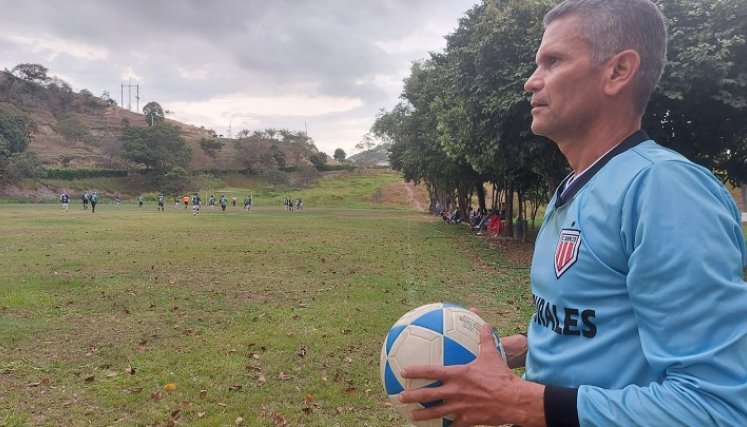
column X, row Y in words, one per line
column 640, row 298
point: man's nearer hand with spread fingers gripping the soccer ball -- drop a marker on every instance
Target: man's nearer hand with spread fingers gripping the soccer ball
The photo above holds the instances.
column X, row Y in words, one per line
column 482, row 392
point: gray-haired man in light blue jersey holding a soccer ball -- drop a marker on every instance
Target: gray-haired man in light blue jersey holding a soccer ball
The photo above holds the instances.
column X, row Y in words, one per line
column 640, row 315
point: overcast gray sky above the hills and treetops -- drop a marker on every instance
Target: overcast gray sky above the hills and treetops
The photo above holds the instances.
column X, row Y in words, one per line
column 327, row 65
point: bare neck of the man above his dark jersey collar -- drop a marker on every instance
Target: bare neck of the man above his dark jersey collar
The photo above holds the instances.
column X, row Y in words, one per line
column 583, row 150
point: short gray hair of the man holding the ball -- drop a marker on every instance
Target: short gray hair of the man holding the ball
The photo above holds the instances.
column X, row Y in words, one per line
column 611, row 26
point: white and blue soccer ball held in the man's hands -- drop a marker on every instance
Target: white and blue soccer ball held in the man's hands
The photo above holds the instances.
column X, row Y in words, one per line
column 433, row 334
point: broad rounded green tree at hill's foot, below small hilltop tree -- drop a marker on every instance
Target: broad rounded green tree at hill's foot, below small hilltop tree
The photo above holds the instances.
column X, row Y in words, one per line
column 160, row 147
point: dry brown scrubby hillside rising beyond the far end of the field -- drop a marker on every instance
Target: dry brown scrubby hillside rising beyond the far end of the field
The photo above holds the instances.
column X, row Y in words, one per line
column 80, row 130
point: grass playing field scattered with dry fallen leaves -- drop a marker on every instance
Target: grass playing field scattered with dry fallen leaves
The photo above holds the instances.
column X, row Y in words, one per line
column 131, row 317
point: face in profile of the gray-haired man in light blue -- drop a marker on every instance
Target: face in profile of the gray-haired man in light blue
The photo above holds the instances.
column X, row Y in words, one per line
column 566, row 87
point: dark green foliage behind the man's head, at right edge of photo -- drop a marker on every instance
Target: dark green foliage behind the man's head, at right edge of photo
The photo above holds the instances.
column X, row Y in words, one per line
column 701, row 102
